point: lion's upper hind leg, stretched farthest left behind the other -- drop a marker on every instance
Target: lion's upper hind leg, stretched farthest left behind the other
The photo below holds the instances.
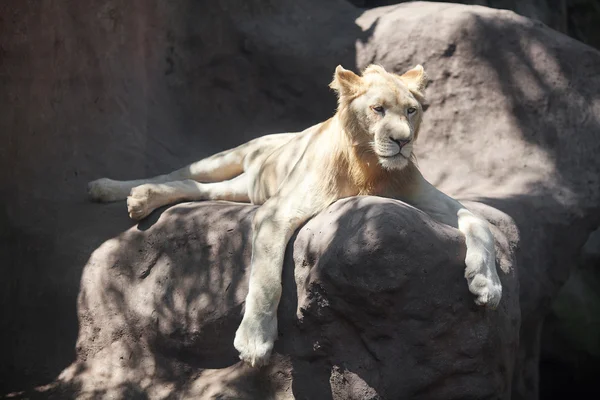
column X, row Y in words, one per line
column 219, row 167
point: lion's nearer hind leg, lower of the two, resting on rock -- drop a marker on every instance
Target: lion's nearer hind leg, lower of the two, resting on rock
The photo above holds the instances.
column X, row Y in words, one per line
column 148, row 197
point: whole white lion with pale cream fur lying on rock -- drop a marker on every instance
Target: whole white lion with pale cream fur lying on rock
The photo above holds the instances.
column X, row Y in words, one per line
column 364, row 149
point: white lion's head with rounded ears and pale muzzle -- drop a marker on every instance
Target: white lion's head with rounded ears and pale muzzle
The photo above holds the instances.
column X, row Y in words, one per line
column 382, row 111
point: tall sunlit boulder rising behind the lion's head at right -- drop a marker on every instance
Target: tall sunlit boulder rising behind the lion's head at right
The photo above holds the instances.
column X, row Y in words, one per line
column 510, row 112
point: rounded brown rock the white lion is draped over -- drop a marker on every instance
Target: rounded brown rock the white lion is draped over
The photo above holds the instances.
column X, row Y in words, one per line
column 375, row 305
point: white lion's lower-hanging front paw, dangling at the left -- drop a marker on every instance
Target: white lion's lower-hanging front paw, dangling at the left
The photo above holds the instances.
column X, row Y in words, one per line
column 254, row 339
